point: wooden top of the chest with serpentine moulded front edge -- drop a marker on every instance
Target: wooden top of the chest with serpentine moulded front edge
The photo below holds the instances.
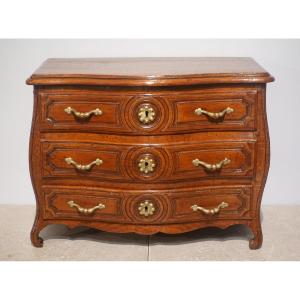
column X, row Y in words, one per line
column 149, row 71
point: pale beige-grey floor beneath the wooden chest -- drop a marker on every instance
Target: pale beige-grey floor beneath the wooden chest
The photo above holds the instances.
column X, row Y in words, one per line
column 280, row 226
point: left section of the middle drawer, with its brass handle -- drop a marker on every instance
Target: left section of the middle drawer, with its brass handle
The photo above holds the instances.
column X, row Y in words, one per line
column 83, row 160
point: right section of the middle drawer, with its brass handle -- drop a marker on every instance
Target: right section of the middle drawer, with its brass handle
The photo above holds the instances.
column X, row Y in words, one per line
column 213, row 160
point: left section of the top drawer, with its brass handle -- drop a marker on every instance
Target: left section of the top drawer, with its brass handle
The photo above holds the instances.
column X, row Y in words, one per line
column 81, row 111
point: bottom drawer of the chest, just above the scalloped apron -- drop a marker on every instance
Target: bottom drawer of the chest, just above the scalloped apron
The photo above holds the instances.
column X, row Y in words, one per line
column 150, row 207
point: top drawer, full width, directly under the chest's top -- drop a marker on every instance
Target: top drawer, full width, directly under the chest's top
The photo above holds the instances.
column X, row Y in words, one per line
column 158, row 112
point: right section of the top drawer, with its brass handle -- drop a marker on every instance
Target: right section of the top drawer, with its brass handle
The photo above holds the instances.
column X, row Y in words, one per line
column 215, row 109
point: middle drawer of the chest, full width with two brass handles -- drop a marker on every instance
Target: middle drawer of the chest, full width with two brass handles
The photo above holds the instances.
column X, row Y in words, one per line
column 159, row 163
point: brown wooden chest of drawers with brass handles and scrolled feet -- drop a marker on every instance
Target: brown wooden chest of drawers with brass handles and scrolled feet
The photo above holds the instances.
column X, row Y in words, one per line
column 149, row 145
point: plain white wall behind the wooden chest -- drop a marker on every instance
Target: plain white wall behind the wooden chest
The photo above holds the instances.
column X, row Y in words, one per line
column 19, row 58
